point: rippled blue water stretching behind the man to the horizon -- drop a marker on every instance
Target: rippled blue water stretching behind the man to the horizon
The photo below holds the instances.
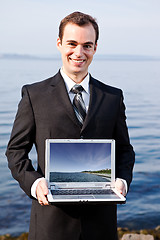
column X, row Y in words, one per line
column 140, row 81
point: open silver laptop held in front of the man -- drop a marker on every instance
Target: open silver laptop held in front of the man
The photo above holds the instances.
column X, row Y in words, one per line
column 81, row 170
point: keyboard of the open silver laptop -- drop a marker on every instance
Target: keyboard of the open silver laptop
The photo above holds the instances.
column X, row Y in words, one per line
column 81, row 191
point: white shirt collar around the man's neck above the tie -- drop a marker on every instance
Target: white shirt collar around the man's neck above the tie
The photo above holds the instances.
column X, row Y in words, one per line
column 70, row 83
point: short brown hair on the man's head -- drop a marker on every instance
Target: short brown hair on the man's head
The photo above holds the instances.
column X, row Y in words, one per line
column 79, row 19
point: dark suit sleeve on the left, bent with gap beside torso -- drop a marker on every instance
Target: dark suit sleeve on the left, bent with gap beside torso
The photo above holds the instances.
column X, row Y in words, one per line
column 20, row 144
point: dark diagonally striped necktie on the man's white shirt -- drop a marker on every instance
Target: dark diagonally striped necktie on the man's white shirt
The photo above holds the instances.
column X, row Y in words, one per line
column 78, row 103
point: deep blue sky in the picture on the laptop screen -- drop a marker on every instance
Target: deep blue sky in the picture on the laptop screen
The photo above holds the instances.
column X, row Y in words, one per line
column 77, row 157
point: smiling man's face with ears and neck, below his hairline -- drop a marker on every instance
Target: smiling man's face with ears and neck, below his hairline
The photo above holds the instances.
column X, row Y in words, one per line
column 77, row 48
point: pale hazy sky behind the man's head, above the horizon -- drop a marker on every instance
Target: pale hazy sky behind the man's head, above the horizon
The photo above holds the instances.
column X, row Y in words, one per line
column 126, row 26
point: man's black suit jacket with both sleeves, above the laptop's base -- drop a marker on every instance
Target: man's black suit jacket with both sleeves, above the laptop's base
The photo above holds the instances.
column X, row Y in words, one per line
column 45, row 111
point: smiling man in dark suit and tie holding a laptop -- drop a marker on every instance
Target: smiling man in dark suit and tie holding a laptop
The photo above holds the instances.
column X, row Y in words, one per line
column 46, row 111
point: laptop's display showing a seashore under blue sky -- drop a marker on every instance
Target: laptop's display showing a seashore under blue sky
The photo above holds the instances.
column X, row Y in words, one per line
column 80, row 162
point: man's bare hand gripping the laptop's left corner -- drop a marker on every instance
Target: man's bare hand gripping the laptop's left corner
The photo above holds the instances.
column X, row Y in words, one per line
column 42, row 191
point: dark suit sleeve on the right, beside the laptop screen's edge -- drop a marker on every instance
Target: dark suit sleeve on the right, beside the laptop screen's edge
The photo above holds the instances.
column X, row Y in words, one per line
column 125, row 156
